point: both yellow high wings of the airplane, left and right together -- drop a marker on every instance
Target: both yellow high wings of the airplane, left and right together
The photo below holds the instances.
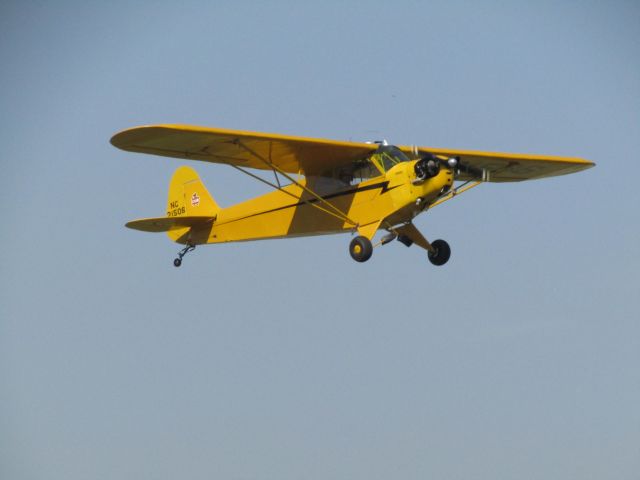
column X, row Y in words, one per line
column 315, row 157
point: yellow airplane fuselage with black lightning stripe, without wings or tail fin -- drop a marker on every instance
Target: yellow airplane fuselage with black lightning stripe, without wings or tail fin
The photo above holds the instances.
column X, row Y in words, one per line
column 386, row 200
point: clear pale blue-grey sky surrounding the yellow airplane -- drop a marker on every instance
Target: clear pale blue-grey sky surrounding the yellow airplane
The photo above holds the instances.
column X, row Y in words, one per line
column 286, row 359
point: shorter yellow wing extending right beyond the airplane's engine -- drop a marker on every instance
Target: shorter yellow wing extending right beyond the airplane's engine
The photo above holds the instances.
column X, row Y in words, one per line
column 507, row 167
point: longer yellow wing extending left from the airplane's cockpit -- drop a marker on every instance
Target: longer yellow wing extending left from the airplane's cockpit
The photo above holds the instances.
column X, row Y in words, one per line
column 307, row 156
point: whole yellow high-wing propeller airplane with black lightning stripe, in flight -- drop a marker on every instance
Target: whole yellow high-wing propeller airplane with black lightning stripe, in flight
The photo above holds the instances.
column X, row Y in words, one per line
column 320, row 186
